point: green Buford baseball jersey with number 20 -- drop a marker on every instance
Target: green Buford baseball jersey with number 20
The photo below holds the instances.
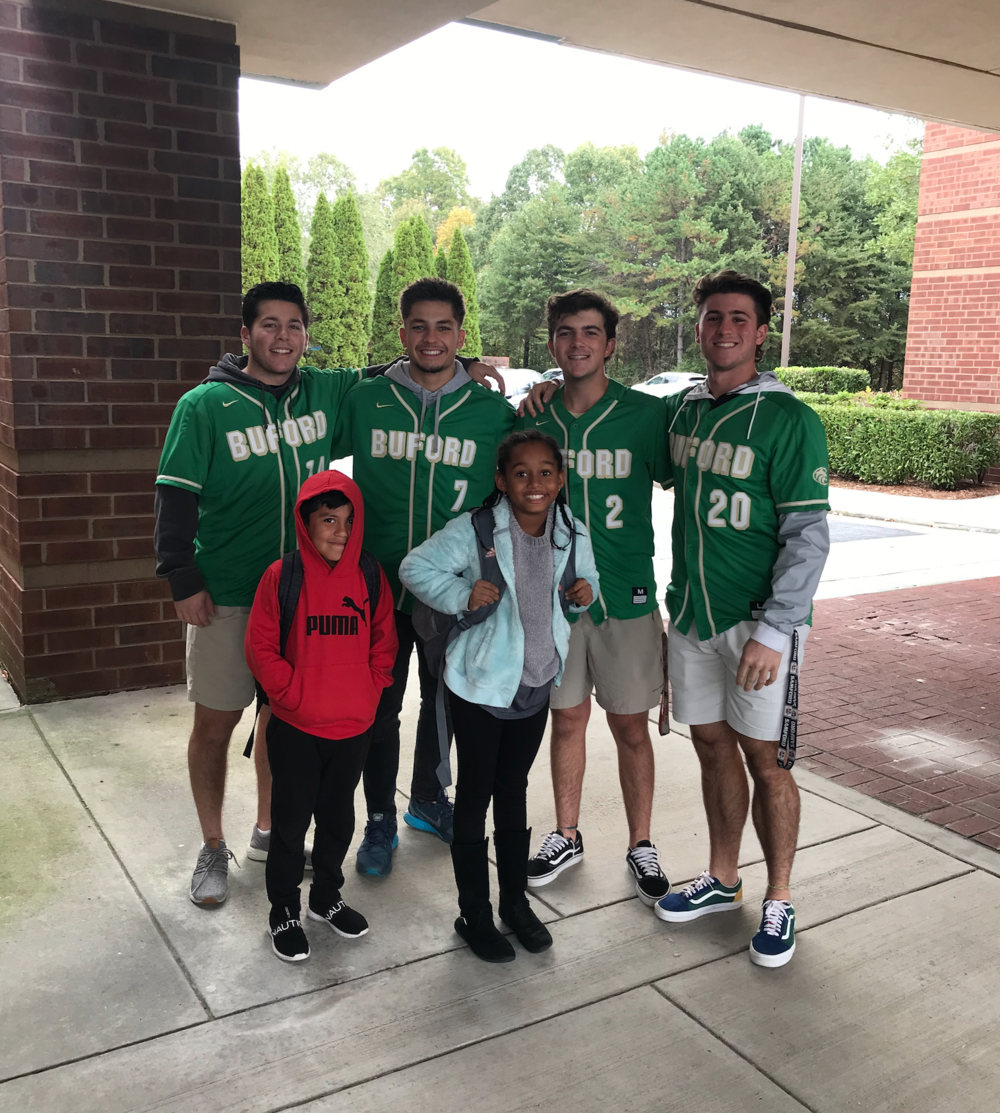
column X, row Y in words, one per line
column 739, row 465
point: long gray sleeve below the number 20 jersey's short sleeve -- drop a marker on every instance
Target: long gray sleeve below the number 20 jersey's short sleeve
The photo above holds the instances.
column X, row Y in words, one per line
column 805, row 540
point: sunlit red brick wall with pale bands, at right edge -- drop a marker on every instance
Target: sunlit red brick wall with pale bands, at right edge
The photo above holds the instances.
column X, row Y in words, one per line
column 954, row 333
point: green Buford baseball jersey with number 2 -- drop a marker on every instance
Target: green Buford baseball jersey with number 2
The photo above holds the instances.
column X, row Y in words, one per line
column 613, row 455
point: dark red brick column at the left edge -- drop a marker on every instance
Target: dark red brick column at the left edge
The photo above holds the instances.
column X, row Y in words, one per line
column 120, row 287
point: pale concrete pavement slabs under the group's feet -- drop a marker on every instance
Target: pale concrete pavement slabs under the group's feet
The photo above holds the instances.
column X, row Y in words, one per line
column 120, row 994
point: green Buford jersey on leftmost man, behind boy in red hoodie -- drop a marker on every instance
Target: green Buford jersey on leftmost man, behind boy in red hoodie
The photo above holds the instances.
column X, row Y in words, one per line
column 246, row 454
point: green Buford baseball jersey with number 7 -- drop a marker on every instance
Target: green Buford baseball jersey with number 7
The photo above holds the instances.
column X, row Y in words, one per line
column 416, row 476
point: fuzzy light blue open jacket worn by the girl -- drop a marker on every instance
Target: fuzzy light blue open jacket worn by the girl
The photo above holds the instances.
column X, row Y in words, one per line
column 484, row 665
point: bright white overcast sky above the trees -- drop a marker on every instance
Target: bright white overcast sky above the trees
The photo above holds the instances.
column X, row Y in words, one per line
column 375, row 119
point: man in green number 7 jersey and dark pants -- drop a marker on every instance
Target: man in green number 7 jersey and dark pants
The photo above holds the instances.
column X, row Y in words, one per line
column 425, row 440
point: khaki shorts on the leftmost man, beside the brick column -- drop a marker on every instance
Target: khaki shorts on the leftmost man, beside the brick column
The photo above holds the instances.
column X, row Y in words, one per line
column 218, row 674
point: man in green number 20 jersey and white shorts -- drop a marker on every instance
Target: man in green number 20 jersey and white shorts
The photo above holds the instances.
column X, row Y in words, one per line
column 750, row 540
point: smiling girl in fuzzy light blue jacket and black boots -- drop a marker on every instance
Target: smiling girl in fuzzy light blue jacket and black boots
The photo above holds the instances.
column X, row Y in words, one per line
column 501, row 672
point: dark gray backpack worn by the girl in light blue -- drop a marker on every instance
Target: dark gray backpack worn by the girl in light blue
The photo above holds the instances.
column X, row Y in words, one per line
column 438, row 632
